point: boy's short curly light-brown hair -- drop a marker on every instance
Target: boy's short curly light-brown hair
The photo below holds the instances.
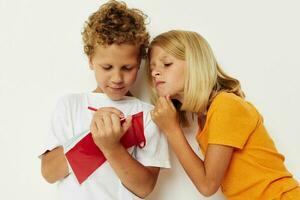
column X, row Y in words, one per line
column 115, row 23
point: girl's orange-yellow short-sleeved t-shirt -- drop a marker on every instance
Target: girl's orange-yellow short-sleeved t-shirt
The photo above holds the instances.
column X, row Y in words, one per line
column 256, row 170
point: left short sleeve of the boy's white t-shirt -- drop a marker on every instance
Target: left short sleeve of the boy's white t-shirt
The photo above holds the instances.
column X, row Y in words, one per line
column 60, row 127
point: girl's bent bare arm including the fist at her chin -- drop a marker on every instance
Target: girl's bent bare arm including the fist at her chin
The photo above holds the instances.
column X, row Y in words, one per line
column 206, row 175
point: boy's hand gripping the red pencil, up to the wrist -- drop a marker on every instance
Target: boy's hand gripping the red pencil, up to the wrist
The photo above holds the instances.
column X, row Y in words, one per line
column 107, row 129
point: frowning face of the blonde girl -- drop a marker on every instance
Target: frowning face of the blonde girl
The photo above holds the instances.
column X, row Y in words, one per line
column 168, row 73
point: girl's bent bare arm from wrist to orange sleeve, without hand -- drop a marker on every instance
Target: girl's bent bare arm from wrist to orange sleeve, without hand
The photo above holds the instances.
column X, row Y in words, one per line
column 206, row 175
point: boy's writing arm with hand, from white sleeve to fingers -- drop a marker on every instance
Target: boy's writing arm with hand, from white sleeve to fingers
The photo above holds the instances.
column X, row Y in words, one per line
column 107, row 130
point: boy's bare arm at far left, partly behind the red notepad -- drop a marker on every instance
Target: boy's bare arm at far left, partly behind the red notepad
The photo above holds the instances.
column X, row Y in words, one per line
column 54, row 165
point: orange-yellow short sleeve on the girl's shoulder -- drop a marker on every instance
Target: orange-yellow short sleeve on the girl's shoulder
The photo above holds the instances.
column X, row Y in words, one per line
column 231, row 122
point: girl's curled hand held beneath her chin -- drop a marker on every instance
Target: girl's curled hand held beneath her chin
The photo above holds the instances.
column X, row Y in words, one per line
column 165, row 115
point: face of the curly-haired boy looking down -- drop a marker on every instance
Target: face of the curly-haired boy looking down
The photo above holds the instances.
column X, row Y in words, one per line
column 115, row 68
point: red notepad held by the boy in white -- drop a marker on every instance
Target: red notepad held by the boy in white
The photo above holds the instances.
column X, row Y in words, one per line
column 85, row 157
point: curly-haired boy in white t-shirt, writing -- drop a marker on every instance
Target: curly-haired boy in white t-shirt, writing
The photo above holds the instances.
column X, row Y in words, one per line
column 115, row 41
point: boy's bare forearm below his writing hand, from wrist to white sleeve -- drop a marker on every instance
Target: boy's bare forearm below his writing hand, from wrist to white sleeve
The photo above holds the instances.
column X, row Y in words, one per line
column 137, row 178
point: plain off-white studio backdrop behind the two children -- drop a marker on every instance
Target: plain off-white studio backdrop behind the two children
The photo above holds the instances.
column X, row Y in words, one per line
column 42, row 59
